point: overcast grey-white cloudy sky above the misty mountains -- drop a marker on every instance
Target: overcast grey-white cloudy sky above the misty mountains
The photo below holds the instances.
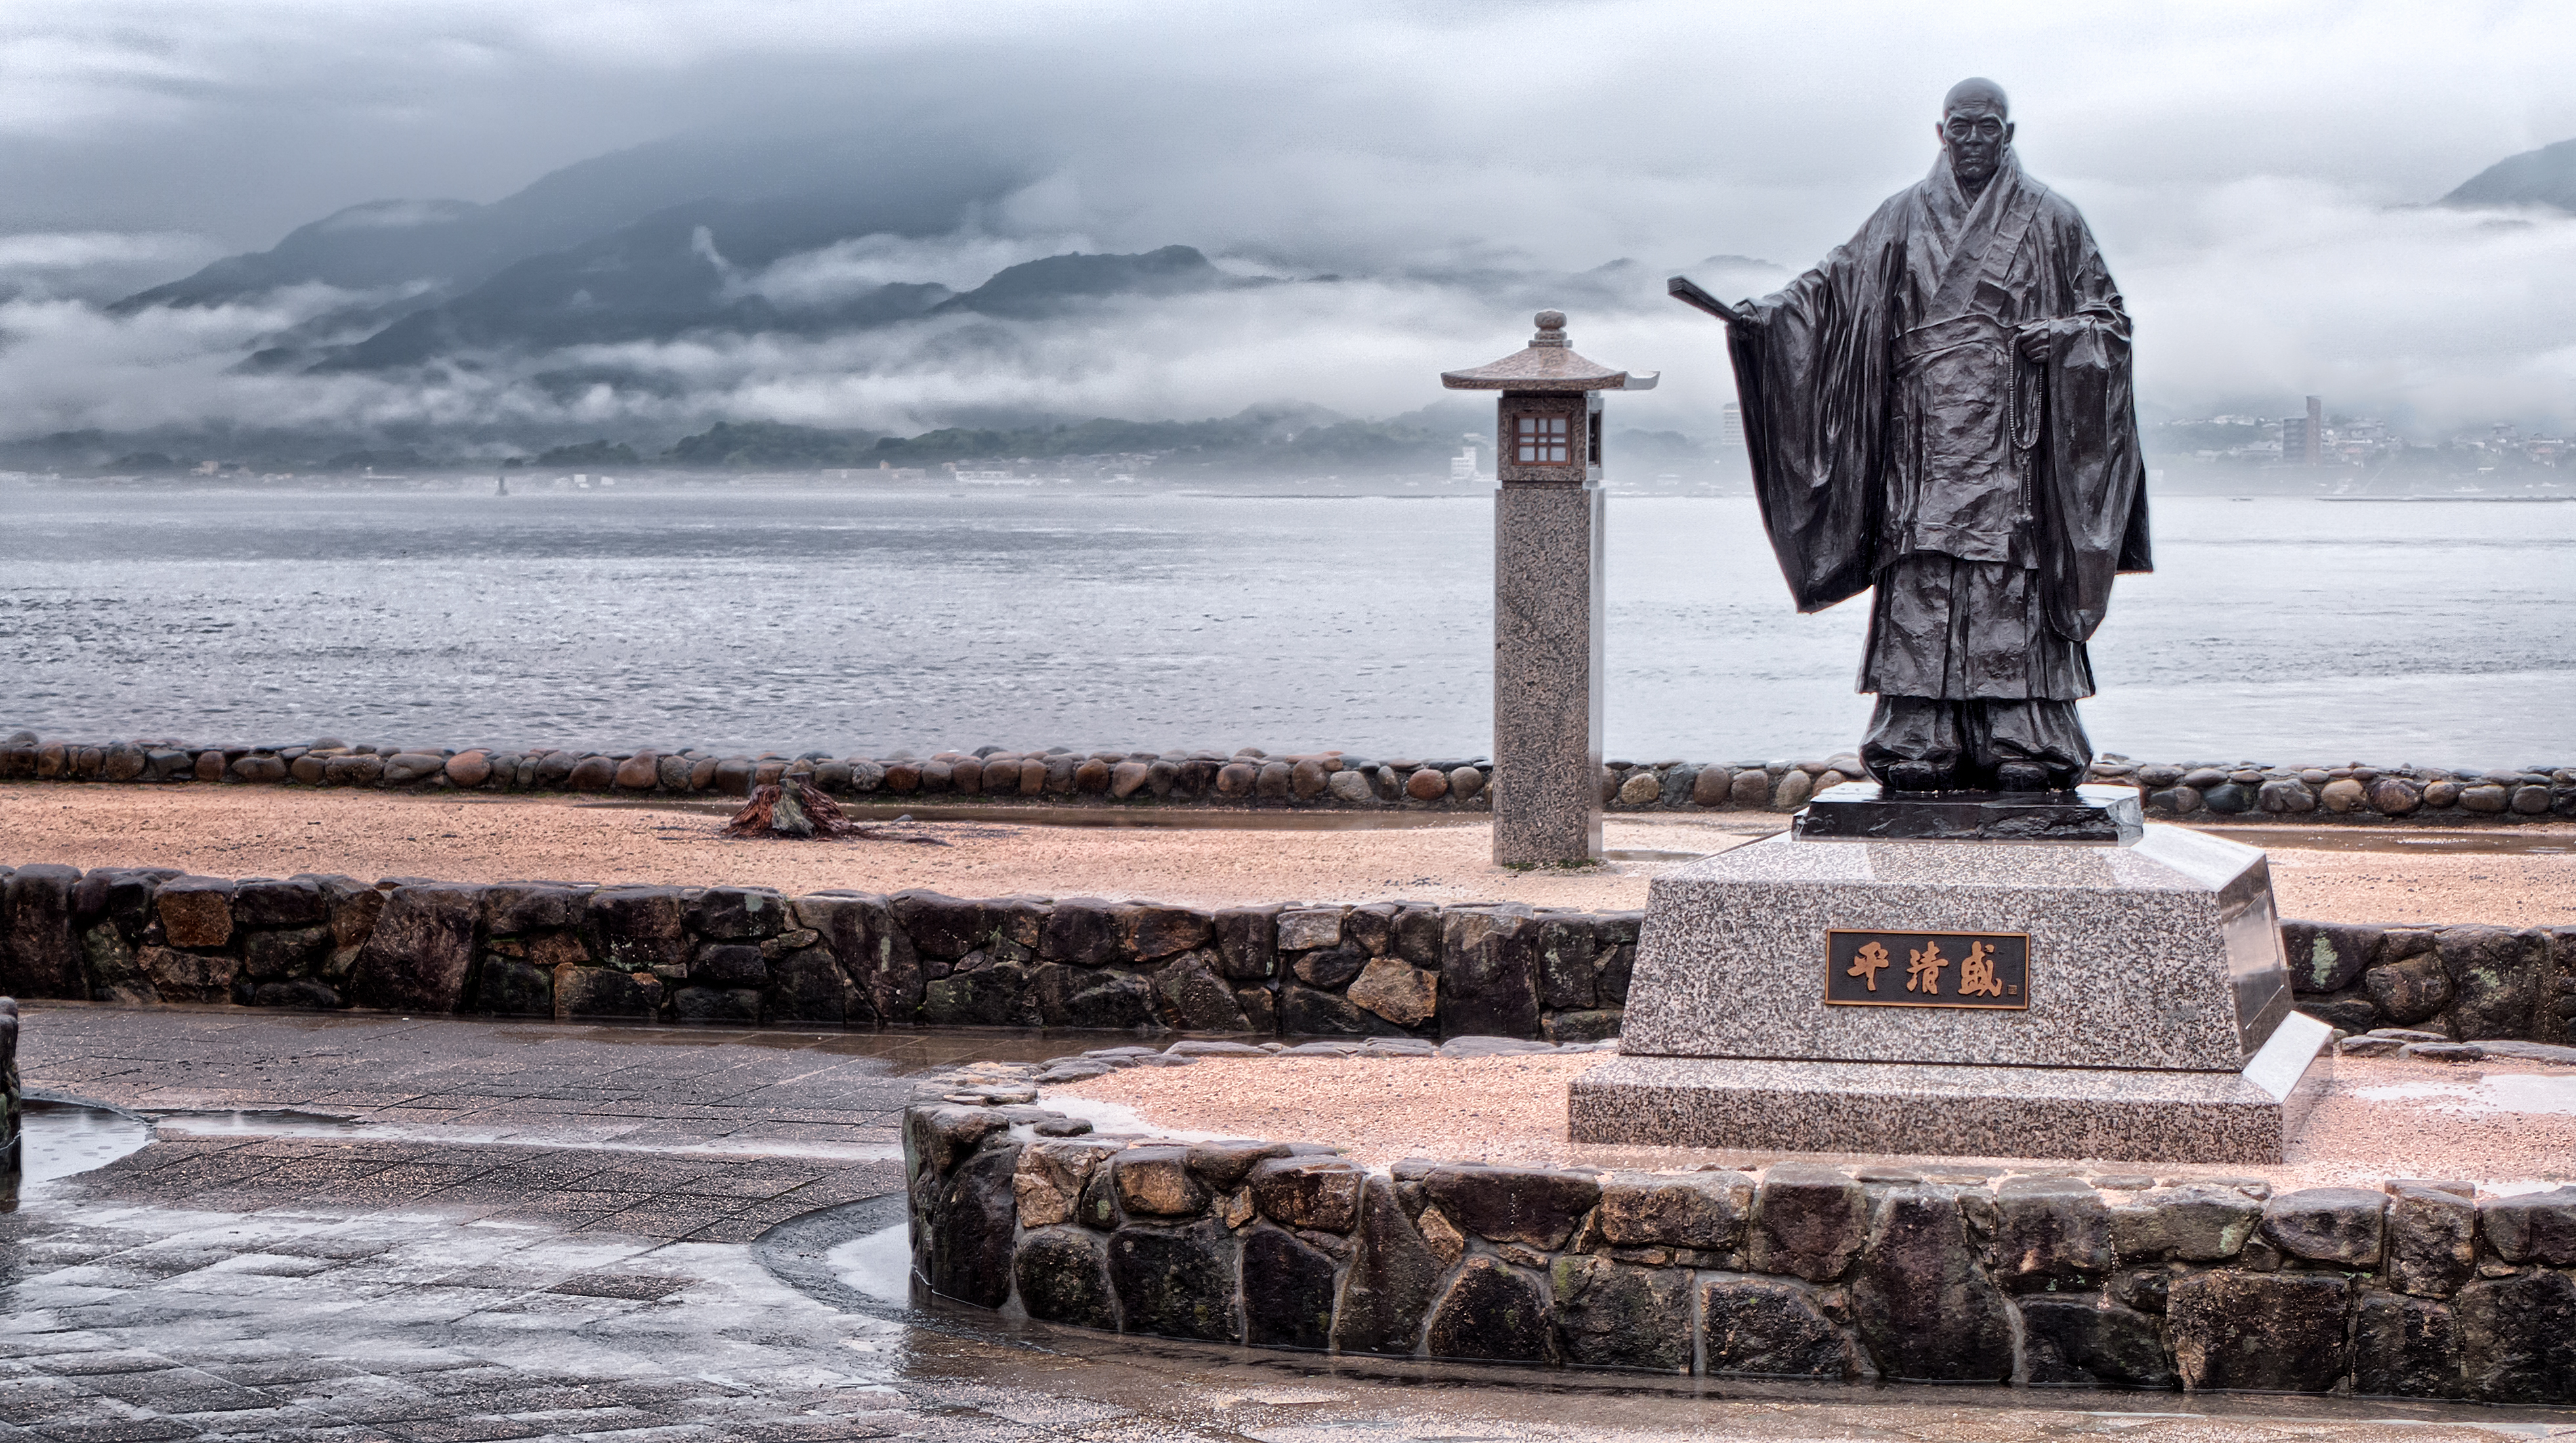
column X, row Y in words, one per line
column 2240, row 164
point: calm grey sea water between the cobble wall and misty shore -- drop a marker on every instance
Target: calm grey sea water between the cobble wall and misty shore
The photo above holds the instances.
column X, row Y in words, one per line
column 864, row 622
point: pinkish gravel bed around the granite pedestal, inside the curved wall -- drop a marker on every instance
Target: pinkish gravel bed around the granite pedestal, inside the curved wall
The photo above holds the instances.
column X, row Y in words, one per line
column 2382, row 1120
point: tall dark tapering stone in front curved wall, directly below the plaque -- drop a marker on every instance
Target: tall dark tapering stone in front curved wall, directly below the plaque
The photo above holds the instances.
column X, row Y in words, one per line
column 1923, row 1303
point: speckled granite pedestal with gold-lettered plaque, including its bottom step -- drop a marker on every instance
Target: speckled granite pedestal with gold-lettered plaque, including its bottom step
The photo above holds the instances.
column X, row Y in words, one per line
column 2134, row 1004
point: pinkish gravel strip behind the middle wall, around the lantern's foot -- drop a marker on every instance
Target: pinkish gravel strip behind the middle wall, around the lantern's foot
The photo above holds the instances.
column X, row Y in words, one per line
column 277, row 834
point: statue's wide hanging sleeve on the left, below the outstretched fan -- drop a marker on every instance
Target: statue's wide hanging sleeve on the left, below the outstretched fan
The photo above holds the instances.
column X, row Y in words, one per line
column 1812, row 390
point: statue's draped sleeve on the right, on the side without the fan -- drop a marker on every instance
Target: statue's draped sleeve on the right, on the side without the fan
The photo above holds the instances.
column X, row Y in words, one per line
column 2090, row 470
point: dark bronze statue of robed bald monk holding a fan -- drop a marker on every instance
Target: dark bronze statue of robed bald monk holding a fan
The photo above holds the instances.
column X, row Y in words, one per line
column 1941, row 411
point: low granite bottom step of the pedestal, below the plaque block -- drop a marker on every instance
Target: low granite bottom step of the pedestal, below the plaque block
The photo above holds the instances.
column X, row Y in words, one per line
column 1962, row 1112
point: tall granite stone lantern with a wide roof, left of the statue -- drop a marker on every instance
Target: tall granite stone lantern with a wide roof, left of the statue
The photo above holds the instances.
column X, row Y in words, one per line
column 1547, row 594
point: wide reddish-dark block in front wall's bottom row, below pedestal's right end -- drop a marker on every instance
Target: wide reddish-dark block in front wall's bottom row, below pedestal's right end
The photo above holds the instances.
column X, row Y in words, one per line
column 2258, row 1331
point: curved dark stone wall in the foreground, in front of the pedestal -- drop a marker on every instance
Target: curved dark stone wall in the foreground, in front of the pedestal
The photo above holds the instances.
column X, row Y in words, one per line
column 2420, row 1290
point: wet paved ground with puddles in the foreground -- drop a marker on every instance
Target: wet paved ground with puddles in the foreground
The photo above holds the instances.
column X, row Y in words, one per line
column 545, row 1233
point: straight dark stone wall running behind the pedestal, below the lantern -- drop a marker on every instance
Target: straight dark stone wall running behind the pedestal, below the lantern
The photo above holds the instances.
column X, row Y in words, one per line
column 748, row 957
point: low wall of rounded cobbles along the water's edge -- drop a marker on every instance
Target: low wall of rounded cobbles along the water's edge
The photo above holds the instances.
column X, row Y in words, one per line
column 1258, row 779
